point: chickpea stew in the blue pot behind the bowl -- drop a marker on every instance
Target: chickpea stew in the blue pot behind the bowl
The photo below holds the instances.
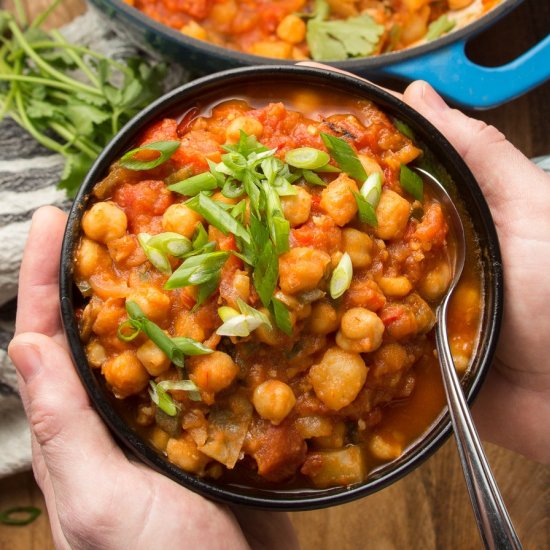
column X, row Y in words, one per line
column 326, row 30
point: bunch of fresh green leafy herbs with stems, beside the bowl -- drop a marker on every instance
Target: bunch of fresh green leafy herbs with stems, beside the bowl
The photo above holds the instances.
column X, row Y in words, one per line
column 71, row 99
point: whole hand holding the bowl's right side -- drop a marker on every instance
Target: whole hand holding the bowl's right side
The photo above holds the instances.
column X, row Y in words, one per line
column 513, row 408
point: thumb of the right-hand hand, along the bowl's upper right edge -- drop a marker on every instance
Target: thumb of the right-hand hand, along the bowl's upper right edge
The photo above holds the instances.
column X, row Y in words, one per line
column 500, row 169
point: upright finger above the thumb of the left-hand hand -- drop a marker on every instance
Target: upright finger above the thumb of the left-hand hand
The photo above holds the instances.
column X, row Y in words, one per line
column 38, row 305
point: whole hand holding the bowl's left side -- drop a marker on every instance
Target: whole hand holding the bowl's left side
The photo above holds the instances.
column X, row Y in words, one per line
column 96, row 497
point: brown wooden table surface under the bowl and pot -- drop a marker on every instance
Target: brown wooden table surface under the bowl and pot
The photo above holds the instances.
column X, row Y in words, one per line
column 429, row 509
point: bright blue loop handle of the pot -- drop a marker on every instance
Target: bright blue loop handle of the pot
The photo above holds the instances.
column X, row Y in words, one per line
column 461, row 80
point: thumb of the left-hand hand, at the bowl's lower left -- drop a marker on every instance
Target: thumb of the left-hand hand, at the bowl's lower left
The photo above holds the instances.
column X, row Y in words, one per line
column 71, row 436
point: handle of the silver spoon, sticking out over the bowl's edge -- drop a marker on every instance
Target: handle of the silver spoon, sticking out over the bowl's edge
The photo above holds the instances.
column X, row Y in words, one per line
column 495, row 526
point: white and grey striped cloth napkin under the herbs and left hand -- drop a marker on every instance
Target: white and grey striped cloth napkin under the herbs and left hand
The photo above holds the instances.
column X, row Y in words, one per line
column 28, row 177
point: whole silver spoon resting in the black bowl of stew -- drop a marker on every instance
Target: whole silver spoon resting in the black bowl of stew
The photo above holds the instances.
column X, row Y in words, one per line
column 495, row 526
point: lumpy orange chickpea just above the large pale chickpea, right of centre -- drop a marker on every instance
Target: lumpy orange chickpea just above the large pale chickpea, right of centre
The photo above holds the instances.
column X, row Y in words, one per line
column 361, row 331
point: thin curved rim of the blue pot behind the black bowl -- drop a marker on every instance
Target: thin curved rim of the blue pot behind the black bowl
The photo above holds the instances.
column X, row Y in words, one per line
column 232, row 57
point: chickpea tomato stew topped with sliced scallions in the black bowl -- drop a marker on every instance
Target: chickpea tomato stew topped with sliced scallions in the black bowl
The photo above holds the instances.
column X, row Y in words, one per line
column 259, row 281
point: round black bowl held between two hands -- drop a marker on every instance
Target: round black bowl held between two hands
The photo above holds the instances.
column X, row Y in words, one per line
column 466, row 191
